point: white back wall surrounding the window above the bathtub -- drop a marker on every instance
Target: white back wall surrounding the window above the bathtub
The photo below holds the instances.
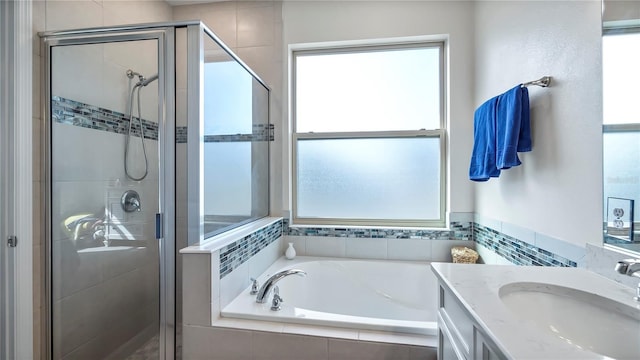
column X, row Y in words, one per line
column 320, row 21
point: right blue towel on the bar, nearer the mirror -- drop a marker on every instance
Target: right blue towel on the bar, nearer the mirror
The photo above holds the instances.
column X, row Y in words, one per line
column 513, row 132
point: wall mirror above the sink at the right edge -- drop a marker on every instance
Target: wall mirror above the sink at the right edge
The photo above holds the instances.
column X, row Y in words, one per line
column 621, row 124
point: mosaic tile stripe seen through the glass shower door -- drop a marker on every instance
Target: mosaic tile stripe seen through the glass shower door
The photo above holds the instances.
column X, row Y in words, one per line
column 70, row 112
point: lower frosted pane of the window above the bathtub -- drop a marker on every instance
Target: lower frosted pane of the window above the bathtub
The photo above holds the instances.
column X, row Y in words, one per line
column 390, row 178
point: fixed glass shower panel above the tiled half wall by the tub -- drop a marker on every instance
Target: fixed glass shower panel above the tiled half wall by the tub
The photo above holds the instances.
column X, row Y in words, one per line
column 236, row 138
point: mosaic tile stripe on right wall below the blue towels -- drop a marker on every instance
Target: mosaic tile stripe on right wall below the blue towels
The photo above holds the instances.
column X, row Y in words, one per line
column 517, row 251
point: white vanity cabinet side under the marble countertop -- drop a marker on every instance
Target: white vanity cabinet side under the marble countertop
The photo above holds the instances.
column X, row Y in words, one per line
column 459, row 335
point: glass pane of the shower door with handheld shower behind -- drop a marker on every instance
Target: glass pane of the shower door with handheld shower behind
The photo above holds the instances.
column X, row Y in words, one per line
column 105, row 255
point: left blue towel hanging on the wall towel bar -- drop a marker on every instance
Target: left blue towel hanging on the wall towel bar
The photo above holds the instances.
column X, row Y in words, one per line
column 483, row 158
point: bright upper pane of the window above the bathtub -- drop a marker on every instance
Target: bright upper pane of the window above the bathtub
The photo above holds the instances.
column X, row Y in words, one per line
column 396, row 89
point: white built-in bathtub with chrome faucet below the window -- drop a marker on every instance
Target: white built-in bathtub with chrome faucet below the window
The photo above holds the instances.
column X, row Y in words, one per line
column 362, row 294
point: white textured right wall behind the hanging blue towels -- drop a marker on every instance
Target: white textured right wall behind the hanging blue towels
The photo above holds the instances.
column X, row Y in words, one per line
column 557, row 191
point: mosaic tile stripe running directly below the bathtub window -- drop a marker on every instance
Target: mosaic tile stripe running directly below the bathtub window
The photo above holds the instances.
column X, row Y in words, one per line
column 458, row 231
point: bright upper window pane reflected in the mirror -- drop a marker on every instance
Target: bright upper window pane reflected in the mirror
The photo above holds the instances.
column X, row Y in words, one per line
column 620, row 78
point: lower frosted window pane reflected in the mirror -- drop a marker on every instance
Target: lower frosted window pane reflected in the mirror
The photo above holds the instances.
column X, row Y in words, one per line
column 621, row 167
